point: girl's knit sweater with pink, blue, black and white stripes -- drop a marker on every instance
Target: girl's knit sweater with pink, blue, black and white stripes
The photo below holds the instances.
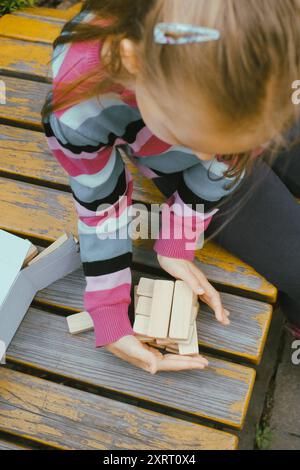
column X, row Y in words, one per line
column 87, row 139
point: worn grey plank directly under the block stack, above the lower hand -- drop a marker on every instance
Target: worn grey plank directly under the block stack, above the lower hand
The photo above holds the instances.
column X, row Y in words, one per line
column 244, row 338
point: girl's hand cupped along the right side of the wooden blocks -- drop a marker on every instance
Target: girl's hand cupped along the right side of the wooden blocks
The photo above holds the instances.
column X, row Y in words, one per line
column 194, row 277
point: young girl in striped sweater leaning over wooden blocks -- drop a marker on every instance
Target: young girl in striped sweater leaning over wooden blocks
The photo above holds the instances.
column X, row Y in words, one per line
column 198, row 95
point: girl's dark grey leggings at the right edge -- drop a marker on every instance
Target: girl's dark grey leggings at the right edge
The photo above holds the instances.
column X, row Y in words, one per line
column 265, row 233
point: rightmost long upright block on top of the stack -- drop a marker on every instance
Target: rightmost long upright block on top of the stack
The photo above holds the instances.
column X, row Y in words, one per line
column 182, row 311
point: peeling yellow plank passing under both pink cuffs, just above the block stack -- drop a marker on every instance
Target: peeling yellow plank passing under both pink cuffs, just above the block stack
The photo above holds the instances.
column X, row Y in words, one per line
column 46, row 213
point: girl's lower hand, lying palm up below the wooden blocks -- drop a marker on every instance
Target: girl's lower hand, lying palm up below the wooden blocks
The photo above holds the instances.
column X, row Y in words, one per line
column 130, row 349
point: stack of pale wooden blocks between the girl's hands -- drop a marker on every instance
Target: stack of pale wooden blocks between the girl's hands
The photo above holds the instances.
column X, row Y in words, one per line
column 165, row 315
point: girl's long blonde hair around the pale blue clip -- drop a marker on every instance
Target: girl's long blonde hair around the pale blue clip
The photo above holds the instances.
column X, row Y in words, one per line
column 247, row 73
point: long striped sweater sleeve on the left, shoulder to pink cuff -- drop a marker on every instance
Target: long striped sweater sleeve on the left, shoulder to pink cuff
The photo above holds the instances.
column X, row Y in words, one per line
column 85, row 139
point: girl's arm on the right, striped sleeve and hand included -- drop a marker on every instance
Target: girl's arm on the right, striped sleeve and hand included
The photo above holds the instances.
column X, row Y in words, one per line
column 189, row 212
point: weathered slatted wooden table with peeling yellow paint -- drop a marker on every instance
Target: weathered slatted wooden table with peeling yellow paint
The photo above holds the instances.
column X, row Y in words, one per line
column 59, row 391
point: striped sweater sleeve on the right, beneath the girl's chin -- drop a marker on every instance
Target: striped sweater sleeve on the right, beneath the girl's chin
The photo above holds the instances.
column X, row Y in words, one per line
column 197, row 188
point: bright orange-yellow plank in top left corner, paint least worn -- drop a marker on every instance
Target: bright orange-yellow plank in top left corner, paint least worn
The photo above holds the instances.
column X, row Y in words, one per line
column 29, row 29
